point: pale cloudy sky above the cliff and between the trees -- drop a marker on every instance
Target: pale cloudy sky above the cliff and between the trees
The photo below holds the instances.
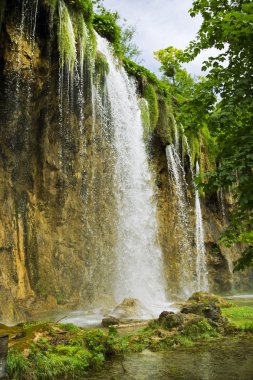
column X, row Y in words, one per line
column 159, row 24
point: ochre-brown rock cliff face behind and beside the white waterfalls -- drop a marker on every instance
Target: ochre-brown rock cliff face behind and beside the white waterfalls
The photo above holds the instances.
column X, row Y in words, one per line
column 58, row 216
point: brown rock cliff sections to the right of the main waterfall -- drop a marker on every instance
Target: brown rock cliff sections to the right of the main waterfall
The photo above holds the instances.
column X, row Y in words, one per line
column 219, row 258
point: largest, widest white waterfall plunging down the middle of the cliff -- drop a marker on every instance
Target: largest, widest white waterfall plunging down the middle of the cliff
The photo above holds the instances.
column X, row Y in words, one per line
column 138, row 258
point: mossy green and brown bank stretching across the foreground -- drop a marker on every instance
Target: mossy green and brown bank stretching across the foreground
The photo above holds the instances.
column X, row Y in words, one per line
column 64, row 351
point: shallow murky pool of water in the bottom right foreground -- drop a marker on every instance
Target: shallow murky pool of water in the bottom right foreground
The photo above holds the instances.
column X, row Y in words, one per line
column 226, row 359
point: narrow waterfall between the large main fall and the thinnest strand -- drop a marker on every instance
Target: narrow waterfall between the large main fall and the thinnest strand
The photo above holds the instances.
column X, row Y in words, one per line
column 183, row 224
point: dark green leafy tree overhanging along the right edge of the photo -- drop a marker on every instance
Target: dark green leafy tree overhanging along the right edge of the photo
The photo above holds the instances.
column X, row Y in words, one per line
column 228, row 26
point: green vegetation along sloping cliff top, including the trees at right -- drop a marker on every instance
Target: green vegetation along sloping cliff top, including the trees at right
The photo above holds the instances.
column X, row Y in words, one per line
column 216, row 110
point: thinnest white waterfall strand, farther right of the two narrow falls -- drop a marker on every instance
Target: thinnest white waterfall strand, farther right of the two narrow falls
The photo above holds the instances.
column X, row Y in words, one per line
column 201, row 267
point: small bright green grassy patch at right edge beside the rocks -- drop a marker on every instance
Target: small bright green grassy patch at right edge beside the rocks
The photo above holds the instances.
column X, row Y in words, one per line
column 240, row 316
